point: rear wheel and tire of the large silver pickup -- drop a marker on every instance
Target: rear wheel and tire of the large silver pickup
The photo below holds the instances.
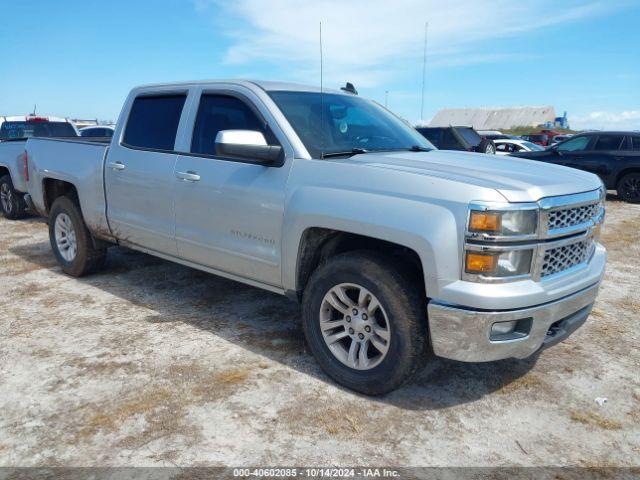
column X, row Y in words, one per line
column 66, row 230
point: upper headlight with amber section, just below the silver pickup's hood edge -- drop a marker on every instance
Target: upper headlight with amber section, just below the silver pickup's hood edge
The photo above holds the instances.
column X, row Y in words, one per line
column 506, row 223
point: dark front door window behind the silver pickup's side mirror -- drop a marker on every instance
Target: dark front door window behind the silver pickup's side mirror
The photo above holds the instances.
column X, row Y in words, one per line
column 222, row 112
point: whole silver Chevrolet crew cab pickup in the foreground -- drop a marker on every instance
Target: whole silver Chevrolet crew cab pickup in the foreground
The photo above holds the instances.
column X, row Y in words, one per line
column 396, row 251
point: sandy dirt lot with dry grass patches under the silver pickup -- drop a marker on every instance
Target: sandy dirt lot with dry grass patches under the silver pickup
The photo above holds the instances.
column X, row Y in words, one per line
column 150, row 363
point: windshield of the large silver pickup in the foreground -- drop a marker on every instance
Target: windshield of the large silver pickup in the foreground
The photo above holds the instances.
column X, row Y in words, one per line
column 343, row 123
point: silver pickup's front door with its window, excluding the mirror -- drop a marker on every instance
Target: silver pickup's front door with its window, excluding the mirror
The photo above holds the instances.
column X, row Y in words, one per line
column 229, row 213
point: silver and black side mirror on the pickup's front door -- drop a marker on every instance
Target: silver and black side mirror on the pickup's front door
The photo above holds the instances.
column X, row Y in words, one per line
column 247, row 145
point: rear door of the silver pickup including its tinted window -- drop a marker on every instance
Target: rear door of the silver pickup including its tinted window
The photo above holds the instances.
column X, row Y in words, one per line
column 139, row 177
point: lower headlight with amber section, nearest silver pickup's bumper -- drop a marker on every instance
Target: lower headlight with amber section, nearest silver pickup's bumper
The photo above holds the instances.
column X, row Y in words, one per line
column 499, row 264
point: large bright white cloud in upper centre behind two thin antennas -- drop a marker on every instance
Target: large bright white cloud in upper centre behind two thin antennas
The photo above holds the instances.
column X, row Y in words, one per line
column 371, row 41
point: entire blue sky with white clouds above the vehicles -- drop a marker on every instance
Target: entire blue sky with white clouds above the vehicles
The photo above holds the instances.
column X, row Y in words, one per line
column 80, row 58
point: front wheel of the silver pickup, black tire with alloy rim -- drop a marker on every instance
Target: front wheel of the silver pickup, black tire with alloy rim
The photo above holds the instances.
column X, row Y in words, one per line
column 402, row 313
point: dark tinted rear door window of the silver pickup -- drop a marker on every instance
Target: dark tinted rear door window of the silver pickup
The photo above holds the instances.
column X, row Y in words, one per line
column 153, row 122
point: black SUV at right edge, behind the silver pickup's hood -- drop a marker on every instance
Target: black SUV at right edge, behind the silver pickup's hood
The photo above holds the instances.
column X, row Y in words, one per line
column 613, row 156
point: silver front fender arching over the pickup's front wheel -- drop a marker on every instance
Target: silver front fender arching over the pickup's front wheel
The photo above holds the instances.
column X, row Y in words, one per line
column 376, row 215
